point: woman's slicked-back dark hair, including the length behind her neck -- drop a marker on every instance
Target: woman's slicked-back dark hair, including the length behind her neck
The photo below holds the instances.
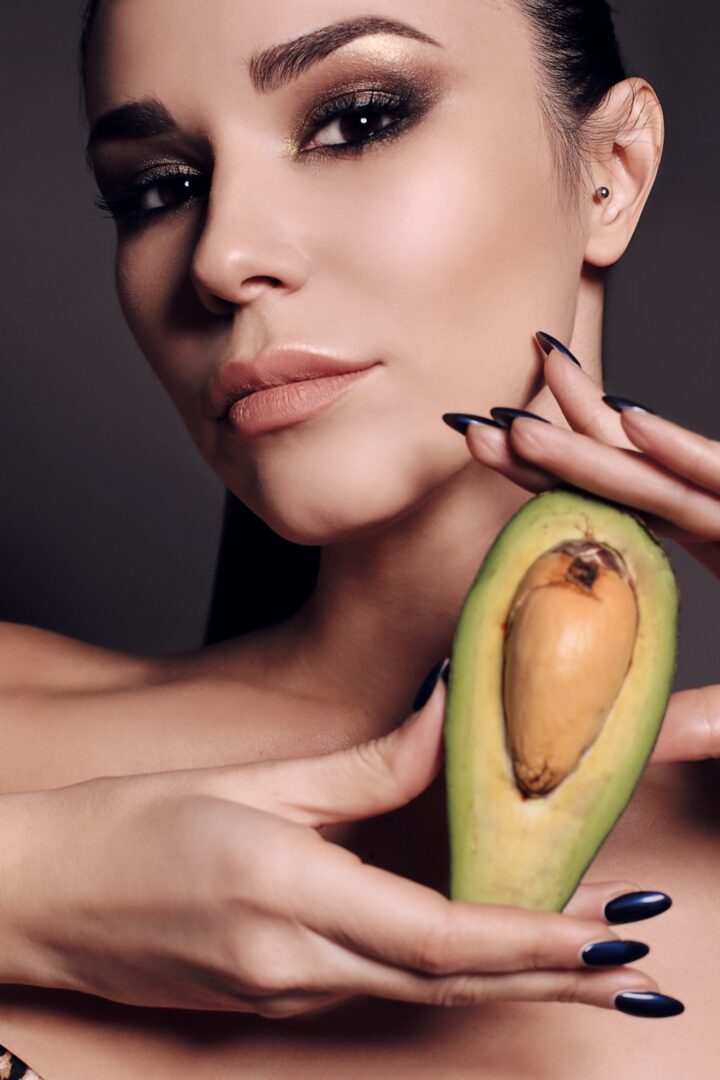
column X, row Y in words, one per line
column 579, row 60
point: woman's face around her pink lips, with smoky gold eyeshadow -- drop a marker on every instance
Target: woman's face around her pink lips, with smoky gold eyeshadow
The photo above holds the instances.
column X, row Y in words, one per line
column 426, row 235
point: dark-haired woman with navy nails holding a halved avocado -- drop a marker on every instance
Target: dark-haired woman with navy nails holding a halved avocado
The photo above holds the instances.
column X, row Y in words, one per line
column 428, row 263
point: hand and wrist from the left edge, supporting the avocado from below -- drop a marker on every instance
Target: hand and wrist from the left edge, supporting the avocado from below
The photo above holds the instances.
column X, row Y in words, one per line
column 213, row 889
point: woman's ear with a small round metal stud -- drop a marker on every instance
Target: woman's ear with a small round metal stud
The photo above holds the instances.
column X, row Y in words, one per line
column 628, row 132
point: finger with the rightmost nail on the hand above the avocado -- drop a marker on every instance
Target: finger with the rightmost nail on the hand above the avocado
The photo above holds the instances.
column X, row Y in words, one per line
column 684, row 452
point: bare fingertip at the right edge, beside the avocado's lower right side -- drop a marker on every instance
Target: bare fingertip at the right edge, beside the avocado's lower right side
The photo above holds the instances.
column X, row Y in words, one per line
column 691, row 728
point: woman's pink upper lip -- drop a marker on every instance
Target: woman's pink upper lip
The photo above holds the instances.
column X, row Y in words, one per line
column 274, row 368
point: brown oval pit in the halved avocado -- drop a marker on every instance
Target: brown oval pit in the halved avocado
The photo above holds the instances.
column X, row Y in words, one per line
column 569, row 640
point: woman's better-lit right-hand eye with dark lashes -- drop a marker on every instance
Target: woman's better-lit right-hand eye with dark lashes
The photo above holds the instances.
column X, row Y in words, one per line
column 352, row 121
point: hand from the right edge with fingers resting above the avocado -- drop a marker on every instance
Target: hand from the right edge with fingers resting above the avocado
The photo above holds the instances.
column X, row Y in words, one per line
column 668, row 474
